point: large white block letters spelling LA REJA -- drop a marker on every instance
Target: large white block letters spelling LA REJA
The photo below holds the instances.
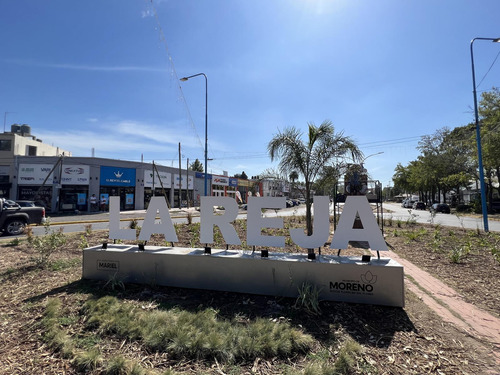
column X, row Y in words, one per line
column 355, row 206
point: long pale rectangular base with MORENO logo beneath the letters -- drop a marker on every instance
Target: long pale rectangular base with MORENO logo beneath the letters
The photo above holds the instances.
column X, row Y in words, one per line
column 347, row 279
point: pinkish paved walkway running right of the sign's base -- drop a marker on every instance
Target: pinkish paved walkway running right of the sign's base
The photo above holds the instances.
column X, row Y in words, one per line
column 450, row 306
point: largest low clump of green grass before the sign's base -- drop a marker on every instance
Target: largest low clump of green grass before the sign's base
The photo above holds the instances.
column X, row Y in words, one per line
column 199, row 335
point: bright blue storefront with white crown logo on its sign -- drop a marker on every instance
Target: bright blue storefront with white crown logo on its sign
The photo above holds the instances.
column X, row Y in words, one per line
column 117, row 181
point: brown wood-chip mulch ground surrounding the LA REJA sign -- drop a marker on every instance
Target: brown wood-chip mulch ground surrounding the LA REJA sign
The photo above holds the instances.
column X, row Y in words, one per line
column 412, row 340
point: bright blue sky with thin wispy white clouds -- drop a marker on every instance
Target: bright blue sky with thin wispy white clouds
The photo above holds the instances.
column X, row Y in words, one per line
column 104, row 74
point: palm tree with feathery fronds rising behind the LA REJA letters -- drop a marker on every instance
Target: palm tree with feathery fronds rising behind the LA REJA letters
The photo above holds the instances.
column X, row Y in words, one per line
column 310, row 157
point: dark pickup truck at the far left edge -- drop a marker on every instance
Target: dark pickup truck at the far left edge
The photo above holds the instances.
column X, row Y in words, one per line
column 14, row 218
